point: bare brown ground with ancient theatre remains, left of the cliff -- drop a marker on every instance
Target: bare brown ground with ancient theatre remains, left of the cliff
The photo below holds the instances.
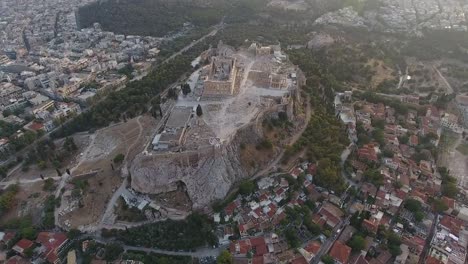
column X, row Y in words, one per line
column 124, row 138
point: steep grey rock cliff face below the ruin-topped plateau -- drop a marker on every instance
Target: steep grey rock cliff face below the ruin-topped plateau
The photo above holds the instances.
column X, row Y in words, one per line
column 208, row 174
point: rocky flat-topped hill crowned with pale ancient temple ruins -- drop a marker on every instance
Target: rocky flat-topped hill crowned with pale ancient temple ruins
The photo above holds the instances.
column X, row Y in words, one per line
column 237, row 90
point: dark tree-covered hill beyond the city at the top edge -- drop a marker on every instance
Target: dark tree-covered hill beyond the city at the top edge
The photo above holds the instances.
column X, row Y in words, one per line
column 148, row 17
